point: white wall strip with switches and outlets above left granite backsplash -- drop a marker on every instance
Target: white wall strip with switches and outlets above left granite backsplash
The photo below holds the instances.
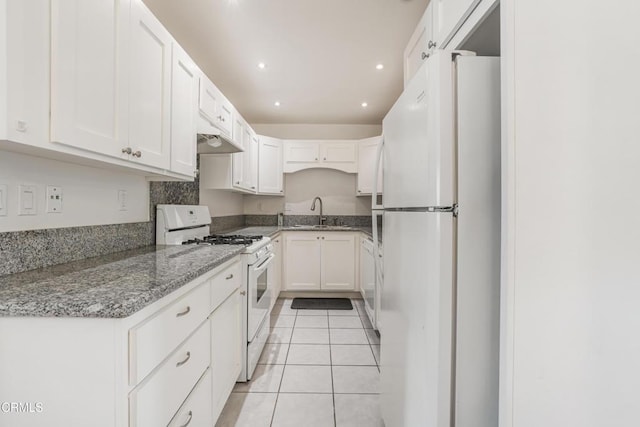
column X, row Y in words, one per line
column 90, row 195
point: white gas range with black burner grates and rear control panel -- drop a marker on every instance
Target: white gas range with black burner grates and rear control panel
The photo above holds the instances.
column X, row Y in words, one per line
column 189, row 225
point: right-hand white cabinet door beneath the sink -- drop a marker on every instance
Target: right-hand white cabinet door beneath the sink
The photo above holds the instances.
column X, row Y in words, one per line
column 338, row 261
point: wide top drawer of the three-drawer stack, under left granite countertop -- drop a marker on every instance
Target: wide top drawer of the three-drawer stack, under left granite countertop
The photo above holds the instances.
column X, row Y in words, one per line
column 152, row 340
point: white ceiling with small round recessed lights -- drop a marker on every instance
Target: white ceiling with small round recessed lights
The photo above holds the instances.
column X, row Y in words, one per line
column 320, row 55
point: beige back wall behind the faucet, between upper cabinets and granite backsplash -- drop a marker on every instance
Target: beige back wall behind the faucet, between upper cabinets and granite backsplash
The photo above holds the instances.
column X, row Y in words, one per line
column 337, row 190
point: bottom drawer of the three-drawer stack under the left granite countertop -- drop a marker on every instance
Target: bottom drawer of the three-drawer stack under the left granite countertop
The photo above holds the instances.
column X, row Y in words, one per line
column 196, row 411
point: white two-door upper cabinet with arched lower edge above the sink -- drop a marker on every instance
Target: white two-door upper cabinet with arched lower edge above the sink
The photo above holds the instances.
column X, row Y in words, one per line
column 306, row 154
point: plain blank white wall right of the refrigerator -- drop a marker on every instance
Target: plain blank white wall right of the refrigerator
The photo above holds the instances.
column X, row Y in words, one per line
column 571, row 278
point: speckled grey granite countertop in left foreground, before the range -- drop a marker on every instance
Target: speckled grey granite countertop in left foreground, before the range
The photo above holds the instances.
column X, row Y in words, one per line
column 111, row 286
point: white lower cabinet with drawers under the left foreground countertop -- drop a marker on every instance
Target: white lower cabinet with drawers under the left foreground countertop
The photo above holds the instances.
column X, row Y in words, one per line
column 173, row 362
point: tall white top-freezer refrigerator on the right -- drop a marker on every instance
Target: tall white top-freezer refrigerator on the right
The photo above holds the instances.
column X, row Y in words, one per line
column 440, row 300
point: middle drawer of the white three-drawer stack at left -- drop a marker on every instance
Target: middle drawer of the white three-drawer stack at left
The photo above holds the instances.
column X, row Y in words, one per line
column 156, row 401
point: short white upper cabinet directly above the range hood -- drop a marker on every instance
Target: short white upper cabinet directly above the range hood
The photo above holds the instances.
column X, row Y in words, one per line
column 215, row 108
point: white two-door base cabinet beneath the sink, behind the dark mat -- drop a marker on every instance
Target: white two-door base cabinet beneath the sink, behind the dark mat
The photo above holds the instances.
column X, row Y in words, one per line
column 320, row 261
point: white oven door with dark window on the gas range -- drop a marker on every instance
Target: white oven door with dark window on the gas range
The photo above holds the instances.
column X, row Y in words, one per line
column 259, row 294
